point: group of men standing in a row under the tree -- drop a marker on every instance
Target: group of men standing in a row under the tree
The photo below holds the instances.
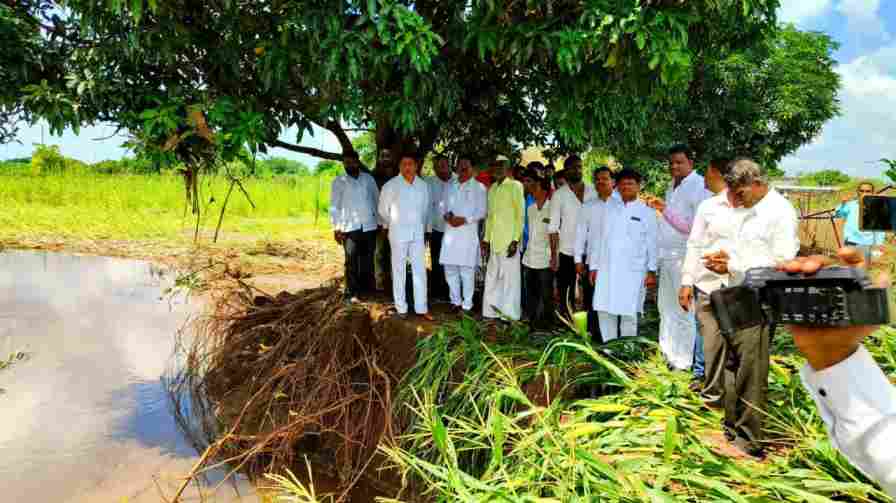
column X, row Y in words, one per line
column 536, row 235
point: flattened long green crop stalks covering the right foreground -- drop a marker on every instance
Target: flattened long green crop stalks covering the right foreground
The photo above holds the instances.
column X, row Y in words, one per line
column 651, row 440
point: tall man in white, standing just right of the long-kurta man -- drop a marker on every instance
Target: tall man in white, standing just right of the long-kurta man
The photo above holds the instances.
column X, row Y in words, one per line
column 678, row 328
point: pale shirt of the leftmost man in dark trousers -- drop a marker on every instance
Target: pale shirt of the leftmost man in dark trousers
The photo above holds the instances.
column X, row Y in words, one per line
column 353, row 203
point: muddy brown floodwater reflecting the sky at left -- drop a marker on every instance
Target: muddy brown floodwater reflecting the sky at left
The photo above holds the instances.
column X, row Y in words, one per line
column 86, row 416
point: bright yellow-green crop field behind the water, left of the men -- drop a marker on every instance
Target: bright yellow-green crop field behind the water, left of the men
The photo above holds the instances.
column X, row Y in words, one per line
column 152, row 207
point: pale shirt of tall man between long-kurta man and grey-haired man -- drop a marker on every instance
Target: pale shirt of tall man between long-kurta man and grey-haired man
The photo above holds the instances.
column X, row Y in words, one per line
column 682, row 201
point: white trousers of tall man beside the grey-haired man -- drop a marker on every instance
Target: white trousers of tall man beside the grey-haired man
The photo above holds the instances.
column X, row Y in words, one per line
column 678, row 328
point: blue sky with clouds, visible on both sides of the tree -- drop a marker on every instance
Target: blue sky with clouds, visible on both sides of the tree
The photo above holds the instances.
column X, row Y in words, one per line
column 865, row 132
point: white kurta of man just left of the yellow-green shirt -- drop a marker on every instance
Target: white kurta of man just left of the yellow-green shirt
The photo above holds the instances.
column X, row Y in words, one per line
column 460, row 245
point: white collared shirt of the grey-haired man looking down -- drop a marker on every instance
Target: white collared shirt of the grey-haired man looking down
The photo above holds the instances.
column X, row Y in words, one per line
column 766, row 235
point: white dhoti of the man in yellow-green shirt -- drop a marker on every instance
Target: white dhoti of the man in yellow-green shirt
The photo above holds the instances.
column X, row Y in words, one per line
column 503, row 287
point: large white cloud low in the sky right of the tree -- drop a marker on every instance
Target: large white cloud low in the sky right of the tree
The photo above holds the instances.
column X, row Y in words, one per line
column 866, row 130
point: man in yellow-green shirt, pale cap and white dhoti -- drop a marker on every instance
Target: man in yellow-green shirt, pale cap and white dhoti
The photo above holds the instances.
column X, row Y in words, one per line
column 503, row 232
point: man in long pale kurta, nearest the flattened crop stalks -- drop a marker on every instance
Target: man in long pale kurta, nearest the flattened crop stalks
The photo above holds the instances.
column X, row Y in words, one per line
column 627, row 261
